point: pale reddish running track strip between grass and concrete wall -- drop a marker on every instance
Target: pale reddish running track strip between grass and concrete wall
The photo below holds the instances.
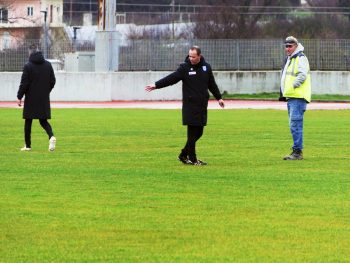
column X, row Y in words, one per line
column 229, row 104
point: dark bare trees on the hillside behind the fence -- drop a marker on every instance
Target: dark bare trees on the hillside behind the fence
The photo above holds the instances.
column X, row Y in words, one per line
column 243, row 19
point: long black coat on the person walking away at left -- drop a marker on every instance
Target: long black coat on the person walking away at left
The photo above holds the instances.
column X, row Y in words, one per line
column 37, row 81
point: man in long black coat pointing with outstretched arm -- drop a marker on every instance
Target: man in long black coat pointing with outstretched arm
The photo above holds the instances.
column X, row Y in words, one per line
column 197, row 78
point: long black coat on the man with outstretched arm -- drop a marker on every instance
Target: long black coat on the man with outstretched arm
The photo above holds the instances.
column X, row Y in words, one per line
column 196, row 81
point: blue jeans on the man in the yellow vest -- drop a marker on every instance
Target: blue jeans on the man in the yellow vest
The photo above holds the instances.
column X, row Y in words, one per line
column 296, row 109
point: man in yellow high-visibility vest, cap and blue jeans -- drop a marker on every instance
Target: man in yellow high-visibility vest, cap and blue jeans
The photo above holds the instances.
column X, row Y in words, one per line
column 296, row 90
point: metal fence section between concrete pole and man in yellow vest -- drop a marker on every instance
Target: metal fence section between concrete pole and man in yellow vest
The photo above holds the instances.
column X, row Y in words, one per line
column 221, row 54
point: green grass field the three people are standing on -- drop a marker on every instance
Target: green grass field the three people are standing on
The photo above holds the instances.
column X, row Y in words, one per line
column 113, row 191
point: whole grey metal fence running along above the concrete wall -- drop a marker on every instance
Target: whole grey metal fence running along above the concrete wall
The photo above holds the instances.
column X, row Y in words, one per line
column 144, row 55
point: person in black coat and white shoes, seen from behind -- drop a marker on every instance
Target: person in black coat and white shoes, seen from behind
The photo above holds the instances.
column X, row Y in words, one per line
column 37, row 81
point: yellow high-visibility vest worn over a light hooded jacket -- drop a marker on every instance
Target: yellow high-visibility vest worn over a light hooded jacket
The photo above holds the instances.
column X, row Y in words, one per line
column 304, row 90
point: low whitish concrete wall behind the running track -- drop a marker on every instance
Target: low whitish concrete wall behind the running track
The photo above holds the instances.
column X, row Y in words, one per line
column 91, row 86
